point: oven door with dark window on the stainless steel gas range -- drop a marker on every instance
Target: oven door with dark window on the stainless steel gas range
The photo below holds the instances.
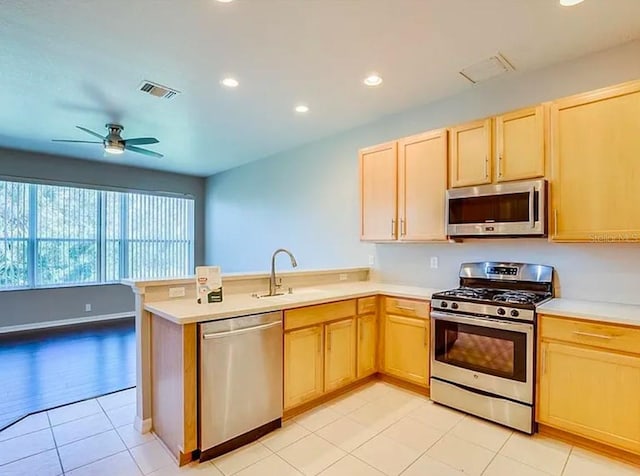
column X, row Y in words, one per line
column 484, row 354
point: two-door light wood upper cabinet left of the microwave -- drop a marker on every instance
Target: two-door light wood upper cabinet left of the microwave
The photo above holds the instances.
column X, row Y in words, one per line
column 403, row 188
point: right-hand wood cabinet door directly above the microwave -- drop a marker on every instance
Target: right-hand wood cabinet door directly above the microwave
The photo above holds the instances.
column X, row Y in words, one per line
column 520, row 144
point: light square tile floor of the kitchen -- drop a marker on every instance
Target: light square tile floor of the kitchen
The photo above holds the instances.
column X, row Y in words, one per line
column 375, row 430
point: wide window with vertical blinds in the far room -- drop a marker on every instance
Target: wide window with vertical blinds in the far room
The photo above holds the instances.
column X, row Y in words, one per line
column 55, row 236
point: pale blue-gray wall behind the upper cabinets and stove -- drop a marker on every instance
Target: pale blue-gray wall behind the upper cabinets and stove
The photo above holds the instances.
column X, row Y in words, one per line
column 307, row 199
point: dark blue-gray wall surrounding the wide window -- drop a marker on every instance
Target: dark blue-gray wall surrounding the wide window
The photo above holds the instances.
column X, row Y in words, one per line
column 29, row 306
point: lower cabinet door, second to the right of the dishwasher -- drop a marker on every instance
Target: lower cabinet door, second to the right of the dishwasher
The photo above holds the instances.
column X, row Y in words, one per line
column 340, row 354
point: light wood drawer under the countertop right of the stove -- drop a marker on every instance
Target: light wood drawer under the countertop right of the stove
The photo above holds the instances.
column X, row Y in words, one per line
column 606, row 336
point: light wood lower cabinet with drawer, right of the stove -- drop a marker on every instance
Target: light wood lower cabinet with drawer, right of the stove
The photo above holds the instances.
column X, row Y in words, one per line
column 587, row 386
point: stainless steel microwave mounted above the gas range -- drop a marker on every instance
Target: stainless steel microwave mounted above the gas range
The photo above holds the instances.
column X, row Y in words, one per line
column 506, row 209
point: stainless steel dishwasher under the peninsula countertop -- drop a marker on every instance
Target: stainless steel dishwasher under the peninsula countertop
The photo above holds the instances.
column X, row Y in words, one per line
column 240, row 381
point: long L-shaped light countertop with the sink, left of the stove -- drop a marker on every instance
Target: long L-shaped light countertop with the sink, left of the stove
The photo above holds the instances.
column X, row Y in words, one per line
column 186, row 311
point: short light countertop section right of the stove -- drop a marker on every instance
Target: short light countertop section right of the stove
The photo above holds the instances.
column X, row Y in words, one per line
column 614, row 313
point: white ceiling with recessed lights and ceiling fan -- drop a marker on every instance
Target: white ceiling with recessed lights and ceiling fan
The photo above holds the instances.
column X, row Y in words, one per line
column 79, row 62
